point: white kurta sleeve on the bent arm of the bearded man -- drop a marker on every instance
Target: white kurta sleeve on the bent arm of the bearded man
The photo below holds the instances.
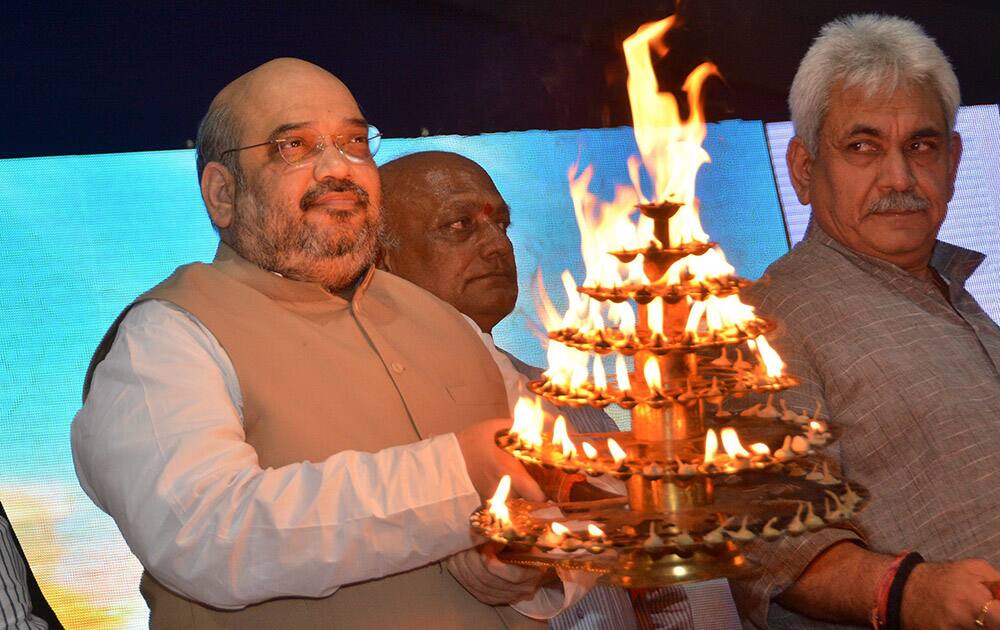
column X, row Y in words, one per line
column 159, row 445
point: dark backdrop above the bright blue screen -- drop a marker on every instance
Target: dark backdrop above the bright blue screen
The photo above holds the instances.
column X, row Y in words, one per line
column 100, row 77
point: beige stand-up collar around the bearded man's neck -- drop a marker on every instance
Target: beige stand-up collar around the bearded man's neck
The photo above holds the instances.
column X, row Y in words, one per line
column 283, row 289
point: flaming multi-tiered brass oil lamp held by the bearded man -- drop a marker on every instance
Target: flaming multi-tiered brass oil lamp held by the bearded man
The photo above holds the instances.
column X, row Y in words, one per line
column 701, row 480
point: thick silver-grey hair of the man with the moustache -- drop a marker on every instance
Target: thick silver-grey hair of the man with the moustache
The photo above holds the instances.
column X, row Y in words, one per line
column 878, row 53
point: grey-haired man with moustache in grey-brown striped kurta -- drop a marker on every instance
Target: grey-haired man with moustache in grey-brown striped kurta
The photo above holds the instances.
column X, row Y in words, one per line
column 875, row 320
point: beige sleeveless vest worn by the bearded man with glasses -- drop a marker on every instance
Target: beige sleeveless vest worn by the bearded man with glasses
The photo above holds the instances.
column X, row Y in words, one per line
column 318, row 375
